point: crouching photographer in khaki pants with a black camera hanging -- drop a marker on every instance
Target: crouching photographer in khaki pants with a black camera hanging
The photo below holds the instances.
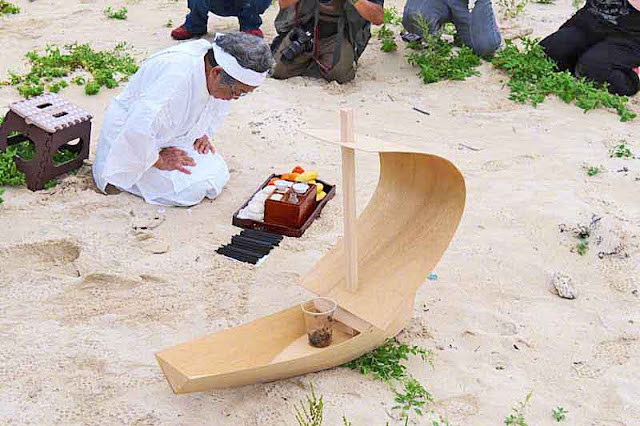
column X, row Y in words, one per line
column 323, row 37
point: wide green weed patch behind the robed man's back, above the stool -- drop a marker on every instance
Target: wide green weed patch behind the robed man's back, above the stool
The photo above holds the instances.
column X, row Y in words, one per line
column 107, row 68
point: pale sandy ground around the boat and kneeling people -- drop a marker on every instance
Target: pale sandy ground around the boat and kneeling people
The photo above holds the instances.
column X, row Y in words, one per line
column 85, row 303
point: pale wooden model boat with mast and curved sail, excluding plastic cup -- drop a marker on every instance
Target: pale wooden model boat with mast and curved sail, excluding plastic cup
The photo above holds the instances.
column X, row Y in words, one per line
column 373, row 273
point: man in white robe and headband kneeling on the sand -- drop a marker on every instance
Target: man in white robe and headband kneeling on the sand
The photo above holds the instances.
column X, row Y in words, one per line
column 156, row 135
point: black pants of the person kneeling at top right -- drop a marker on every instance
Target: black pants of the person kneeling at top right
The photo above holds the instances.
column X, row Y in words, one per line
column 597, row 50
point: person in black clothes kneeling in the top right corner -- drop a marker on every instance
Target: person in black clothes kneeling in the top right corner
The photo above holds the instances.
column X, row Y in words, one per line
column 602, row 43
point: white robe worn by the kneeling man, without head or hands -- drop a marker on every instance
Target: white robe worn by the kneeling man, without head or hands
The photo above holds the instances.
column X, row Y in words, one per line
column 165, row 104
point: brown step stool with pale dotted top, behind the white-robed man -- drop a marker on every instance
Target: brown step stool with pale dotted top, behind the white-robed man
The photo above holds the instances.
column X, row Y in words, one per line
column 51, row 123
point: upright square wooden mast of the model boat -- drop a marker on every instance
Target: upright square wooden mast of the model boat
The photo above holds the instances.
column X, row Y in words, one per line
column 349, row 198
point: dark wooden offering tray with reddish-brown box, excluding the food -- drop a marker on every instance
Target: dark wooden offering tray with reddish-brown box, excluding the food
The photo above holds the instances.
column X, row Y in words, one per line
column 286, row 218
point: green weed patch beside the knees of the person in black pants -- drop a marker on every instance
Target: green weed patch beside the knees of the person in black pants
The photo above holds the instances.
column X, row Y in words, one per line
column 534, row 76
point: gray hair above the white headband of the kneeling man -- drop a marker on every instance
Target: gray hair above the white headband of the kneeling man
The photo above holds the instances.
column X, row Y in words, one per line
column 250, row 51
